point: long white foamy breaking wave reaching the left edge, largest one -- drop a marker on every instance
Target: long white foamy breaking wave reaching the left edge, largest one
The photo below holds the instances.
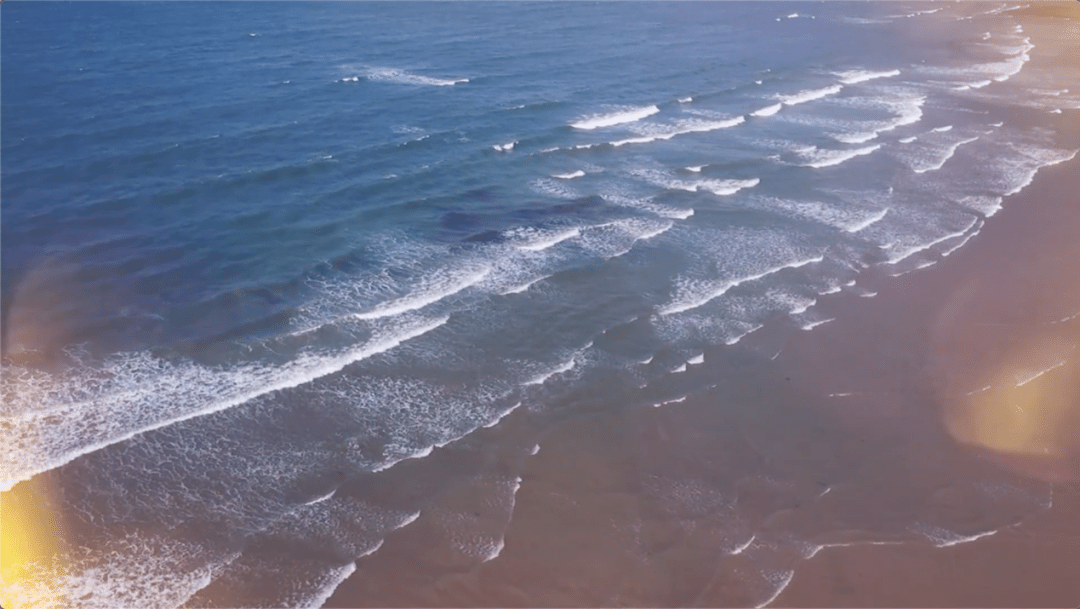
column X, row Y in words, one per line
column 143, row 394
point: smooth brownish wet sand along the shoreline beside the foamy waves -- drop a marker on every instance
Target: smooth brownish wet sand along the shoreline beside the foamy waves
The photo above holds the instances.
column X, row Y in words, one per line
column 863, row 464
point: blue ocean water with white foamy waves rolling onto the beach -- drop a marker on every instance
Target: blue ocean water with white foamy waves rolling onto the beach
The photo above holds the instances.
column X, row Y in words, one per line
column 251, row 250
